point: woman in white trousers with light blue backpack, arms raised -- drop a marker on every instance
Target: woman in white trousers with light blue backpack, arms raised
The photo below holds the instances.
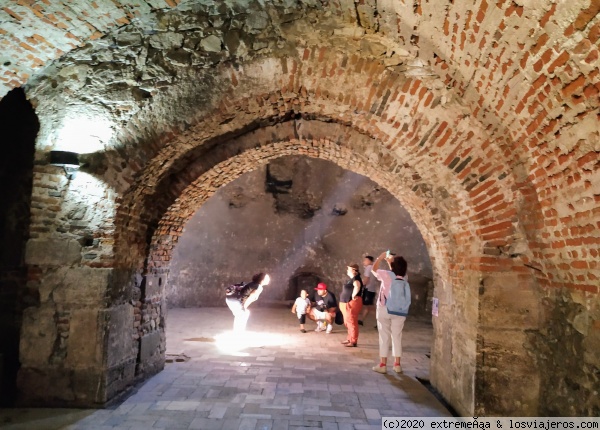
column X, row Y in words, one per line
column 392, row 307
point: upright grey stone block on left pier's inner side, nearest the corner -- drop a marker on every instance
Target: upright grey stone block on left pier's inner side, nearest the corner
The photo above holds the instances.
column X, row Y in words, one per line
column 120, row 329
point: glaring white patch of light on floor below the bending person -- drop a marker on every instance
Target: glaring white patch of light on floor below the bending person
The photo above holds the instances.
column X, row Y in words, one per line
column 235, row 343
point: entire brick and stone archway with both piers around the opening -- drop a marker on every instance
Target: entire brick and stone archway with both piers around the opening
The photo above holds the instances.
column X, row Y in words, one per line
column 498, row 172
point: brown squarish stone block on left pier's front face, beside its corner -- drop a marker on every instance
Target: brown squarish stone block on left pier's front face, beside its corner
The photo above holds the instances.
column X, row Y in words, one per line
column 84, row 347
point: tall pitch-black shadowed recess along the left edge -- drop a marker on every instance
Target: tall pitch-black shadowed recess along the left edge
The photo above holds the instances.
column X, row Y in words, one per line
column 18, row 127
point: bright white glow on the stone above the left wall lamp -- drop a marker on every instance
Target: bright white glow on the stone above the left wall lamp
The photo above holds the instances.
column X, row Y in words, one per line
column 84, row 133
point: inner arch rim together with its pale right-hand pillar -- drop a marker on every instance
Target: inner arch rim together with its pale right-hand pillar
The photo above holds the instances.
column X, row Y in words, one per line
column 461, row 312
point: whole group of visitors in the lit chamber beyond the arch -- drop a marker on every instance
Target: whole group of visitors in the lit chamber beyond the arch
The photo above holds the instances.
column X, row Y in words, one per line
column 359, row 295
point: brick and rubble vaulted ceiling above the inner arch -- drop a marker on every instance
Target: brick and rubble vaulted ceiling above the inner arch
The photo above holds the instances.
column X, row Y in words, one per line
column 489, row 109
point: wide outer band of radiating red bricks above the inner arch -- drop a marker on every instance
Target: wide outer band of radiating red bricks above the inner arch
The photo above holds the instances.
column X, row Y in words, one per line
column 448, row 153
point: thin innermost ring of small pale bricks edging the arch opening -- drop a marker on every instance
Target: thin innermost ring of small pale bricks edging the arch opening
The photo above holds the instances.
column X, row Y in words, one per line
column 198, row 191
